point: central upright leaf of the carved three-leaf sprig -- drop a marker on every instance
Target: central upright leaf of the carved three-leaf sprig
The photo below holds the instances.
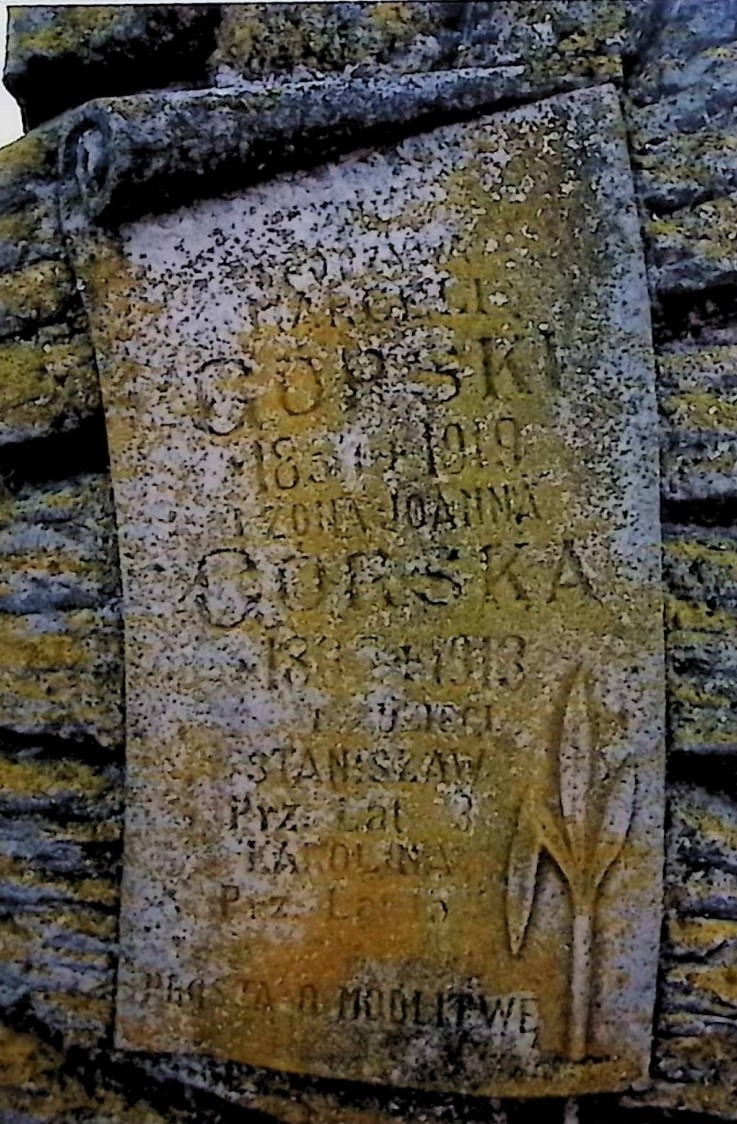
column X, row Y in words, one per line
column 576, row 764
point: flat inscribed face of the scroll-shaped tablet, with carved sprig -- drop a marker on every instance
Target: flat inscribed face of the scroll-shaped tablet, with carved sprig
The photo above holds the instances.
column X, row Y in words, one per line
column 385, row 456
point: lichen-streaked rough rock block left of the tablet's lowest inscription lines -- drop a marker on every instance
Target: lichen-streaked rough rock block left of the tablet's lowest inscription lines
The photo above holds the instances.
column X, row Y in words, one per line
column 60, row 844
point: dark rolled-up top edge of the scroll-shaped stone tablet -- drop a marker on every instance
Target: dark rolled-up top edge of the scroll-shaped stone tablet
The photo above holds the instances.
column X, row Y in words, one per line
column 132, row 156
